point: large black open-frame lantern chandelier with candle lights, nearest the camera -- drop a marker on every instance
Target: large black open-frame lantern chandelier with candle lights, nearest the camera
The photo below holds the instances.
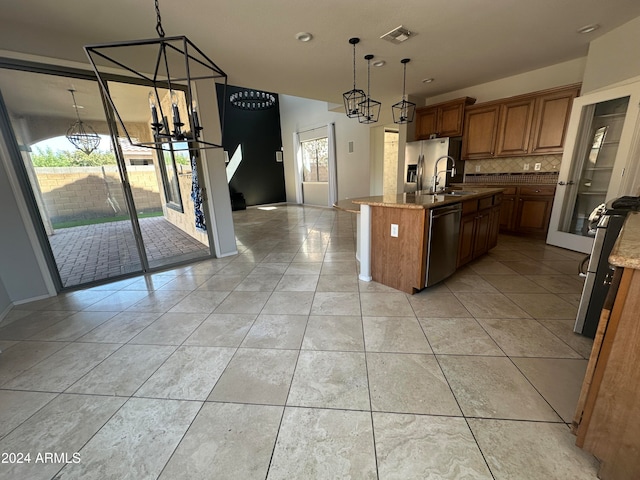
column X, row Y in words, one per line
column 174, row 68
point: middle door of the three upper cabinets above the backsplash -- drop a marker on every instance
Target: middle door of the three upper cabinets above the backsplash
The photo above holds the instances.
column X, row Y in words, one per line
column 516, row 118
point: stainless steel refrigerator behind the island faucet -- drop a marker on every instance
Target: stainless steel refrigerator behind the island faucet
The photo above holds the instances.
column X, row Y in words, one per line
column 420, row 159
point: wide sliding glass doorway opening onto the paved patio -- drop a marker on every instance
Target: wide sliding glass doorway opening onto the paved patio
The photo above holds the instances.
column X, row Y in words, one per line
column 106, row 212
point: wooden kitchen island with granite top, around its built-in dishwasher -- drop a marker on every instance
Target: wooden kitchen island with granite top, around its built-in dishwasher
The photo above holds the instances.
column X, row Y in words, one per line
column 394, row 233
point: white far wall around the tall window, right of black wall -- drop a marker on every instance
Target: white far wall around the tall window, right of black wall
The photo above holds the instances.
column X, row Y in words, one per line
column 299, row 114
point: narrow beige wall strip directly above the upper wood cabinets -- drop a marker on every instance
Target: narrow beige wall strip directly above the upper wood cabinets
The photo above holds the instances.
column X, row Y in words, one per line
column 557, row 75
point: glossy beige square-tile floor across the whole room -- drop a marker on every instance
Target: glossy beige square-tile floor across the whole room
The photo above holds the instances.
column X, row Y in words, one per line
column 278, row 363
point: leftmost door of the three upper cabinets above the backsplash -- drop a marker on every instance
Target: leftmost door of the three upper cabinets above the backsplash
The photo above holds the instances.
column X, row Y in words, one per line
column 480, row 132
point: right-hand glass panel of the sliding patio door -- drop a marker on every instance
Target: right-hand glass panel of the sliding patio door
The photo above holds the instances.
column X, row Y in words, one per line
column 162, row 185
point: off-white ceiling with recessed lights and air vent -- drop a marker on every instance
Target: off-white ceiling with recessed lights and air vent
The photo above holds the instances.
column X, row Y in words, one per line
column 459, row 43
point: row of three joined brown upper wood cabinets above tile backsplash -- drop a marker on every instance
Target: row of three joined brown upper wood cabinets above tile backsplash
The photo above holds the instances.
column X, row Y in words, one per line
column 532, row 124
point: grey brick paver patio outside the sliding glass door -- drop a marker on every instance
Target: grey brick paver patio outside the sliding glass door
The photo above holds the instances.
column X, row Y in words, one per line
column 95, row 252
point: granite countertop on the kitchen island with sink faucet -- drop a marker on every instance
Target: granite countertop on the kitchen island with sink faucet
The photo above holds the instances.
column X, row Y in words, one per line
column 421, row 201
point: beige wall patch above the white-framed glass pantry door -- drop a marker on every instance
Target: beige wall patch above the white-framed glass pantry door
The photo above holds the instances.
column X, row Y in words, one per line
column 613, row 57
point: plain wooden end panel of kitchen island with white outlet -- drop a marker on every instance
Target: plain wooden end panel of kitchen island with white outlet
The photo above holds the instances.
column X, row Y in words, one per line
column 399, row 262
